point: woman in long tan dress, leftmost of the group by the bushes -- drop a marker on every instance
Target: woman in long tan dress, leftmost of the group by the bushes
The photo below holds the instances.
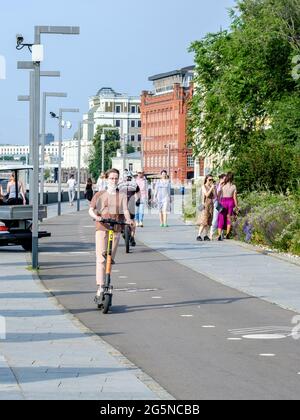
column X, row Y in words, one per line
column 206, row 216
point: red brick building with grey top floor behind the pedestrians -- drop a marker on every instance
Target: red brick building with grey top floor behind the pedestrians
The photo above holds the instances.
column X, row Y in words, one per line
column 163, row 115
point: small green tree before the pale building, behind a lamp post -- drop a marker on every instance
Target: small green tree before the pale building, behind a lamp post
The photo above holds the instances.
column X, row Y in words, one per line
column 112, row 144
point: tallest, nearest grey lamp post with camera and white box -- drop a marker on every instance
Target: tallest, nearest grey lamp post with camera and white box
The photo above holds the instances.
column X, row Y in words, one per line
column 37, row 58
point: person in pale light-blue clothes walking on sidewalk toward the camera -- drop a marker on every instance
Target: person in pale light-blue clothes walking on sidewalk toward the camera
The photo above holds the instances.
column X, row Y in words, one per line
column 162, row 197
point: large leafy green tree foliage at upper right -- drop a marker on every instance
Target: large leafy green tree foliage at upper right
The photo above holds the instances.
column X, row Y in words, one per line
column 246, row 100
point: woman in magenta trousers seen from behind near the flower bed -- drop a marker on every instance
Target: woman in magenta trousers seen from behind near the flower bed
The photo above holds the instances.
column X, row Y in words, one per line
column 229, row 201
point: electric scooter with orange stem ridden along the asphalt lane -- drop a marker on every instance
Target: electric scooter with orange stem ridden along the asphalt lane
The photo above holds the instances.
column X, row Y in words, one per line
column 104, row 302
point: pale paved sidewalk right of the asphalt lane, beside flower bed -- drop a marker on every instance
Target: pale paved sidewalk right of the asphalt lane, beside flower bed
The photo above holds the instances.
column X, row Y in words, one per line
column 233, row 265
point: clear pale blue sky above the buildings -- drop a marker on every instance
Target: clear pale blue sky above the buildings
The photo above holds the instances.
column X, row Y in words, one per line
column 121, row 44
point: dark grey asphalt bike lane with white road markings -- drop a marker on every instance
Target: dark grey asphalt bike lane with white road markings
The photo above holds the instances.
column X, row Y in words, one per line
column 197, row 338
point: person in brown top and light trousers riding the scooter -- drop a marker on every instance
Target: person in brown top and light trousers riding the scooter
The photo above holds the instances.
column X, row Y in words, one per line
column 109, row 204
